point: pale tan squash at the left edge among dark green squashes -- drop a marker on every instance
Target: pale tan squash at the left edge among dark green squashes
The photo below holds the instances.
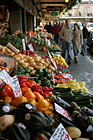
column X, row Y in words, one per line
column 6, row 121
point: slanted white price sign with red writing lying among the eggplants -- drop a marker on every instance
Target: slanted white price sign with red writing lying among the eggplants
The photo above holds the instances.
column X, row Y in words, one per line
column 62, row 111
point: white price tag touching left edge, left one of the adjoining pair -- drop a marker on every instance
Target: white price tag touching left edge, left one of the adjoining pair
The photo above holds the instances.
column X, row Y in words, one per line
column 6, row 77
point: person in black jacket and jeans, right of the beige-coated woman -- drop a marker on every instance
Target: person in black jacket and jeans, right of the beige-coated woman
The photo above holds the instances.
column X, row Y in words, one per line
column 85, row 37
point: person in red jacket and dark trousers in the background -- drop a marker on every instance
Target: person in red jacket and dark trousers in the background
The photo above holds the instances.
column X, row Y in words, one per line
column 55, row 31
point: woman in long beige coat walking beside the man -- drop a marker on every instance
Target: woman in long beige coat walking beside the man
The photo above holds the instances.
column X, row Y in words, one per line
column 77, row 41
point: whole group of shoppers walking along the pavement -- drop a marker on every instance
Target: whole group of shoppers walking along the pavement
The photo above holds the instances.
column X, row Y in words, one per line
column 75, row 39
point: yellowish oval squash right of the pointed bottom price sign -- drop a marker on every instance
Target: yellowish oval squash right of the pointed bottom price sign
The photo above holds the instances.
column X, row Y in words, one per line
column 73, row 132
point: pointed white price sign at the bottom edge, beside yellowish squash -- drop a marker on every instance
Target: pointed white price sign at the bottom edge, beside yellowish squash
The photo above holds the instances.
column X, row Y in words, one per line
column 60, row 134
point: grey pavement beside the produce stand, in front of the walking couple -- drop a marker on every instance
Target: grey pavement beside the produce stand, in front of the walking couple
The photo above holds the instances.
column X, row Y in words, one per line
column 83, row 70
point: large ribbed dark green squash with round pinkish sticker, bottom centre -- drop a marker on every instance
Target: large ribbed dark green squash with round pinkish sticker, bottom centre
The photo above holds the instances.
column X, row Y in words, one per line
column 36, row 121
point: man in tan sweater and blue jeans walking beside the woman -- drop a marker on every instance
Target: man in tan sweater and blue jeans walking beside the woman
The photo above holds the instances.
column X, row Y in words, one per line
column 66, row 36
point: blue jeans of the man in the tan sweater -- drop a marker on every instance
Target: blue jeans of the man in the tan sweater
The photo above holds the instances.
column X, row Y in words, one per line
column 67, row 46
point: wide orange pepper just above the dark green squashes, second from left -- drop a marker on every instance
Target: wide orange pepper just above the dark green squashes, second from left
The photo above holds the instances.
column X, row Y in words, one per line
column 19, row 100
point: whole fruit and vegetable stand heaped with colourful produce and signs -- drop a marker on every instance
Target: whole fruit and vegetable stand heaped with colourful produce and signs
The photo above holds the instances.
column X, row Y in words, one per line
column 39, row 98
